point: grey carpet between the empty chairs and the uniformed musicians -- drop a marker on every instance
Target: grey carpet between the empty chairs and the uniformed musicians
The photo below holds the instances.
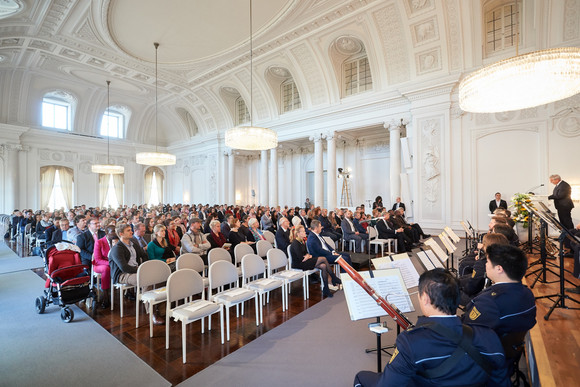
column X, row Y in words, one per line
column 319, row 347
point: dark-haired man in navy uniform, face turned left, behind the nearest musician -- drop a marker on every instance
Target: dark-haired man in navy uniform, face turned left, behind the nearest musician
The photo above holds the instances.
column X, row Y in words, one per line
column 507, row 306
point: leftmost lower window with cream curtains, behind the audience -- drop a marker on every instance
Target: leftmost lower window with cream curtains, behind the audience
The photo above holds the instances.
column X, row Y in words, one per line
column 56, row 187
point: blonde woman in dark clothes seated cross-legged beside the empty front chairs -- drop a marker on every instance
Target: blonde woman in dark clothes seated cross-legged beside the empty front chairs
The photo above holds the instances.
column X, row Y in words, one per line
column 302, row 260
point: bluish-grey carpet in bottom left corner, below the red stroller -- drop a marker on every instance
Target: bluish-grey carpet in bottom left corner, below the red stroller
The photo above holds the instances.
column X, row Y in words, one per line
column 41, row 350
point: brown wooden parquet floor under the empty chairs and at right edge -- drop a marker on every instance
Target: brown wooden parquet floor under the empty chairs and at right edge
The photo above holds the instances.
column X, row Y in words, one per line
column 556, row 341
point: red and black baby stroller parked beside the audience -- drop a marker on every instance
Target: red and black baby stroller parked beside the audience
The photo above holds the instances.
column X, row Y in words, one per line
column 68, row 281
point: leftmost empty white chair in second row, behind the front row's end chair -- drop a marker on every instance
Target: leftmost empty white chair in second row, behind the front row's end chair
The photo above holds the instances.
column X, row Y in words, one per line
column 150, row 273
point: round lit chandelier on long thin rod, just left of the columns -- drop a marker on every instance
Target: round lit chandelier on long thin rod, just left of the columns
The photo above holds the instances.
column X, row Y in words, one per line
column 251, row 137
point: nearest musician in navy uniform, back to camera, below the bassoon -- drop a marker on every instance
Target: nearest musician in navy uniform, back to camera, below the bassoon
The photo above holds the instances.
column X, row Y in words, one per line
column 428, row 354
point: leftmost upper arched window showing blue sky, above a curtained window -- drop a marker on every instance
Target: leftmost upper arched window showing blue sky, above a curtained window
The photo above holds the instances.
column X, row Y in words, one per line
column 57, row 110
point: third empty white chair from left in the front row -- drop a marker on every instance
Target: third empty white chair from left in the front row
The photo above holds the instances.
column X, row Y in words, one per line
column 252, row 267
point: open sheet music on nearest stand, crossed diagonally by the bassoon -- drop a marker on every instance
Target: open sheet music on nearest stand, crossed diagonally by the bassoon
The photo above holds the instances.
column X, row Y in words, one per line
column 388, row 283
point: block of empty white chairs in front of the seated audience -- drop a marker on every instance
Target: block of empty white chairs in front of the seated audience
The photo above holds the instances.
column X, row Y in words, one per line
column 227, row 285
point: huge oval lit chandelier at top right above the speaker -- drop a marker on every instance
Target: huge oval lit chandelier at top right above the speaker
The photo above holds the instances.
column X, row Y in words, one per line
column 523, row 81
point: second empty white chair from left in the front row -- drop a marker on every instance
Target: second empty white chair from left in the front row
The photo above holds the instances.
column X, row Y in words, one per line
column 223, row 273
